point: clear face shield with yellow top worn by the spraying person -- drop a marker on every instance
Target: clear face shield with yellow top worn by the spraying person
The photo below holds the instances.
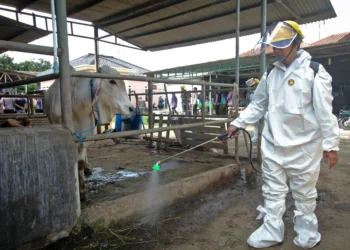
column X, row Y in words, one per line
column 279, row 35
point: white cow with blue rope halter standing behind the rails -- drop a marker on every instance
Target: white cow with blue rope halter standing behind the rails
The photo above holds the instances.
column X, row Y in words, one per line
column 91, row 98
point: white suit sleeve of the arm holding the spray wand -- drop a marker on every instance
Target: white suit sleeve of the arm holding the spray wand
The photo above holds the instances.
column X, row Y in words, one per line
column 256, row 108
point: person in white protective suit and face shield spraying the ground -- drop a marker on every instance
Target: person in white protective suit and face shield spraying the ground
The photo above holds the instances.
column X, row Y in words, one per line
column 299, row 131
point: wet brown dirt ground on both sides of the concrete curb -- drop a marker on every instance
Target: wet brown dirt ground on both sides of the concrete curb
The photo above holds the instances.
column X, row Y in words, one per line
column 220, row 218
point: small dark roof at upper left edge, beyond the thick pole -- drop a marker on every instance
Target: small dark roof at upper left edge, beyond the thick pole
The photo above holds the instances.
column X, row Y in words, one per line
column 19, row 32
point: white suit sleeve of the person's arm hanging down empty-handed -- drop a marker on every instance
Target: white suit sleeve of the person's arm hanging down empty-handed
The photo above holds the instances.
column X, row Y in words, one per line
column 322, row 102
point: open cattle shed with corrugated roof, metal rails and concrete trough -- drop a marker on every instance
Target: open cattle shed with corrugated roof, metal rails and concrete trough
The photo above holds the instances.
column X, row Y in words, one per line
column 144, row 24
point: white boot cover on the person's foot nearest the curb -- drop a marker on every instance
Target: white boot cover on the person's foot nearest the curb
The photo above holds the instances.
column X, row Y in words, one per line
column 271, row 232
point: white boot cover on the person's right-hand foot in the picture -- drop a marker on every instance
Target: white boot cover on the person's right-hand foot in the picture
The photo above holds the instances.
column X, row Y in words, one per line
column 306, row 225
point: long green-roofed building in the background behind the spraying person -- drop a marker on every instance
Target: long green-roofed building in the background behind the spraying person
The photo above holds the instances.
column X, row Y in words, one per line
column 332, row 52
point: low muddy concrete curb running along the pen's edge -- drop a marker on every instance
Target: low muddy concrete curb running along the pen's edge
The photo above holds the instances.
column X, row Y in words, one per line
column 135, row 205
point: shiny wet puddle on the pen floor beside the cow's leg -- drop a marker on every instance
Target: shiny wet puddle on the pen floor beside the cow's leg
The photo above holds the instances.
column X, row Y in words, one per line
column 99, row 178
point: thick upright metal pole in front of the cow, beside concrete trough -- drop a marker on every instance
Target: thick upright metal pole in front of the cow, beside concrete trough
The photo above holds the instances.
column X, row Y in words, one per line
column 65, row 86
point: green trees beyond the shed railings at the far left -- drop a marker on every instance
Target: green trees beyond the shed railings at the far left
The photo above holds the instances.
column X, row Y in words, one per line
column 33, row 65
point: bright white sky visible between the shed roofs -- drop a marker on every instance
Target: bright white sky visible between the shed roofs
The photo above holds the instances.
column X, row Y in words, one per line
column 187, row 55
